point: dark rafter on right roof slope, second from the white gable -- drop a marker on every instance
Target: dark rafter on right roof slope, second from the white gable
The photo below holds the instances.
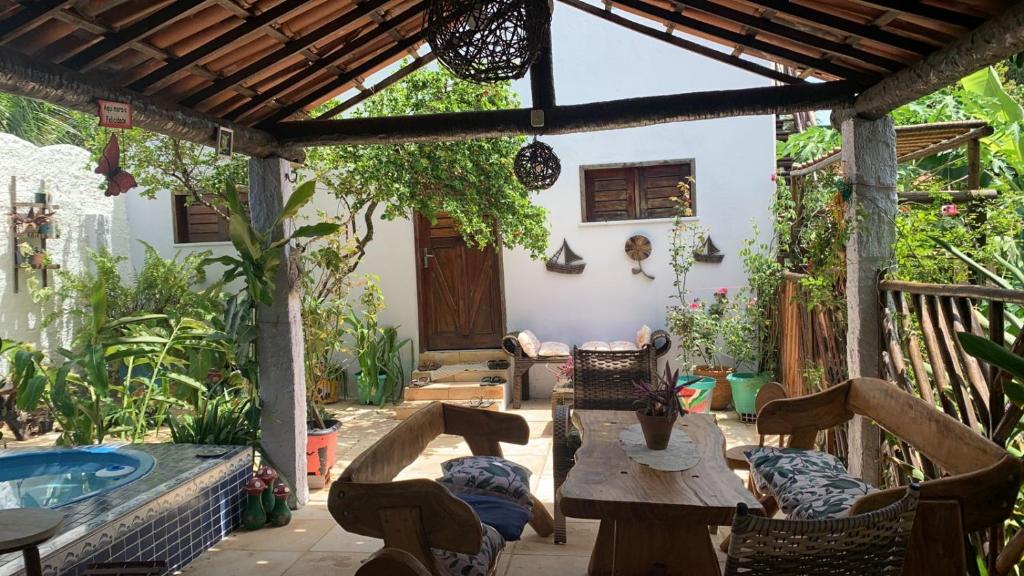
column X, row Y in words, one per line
column 739, row 39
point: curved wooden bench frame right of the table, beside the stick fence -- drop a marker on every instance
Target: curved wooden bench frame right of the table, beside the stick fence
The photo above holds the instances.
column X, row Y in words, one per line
column 983, row 481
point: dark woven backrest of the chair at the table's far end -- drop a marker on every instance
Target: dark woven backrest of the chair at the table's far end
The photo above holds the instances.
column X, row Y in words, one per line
column 604, row 380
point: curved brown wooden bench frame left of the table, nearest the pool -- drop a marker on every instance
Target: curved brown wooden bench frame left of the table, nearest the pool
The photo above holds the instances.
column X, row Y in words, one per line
column 415, row 516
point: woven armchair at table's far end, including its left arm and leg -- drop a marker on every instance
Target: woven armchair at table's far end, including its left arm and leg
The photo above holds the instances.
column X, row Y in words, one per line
column 602, row 381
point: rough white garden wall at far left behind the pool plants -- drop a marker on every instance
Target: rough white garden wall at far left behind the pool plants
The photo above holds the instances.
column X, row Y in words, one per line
column 87, row 220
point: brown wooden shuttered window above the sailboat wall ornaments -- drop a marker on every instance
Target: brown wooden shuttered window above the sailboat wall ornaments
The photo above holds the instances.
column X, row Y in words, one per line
column 635, row 191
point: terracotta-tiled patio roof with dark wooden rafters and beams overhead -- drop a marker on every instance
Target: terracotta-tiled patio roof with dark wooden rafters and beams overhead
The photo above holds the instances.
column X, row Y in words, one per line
column 260, row 66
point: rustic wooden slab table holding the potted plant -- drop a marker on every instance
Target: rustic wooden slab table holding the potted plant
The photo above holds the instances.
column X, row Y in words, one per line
column 652, row 522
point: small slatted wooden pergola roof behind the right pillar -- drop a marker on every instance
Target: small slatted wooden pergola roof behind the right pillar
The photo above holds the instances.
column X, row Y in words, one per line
column 913, row 143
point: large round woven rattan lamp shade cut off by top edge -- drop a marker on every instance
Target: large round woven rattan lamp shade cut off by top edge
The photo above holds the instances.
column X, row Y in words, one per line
column 488, row 40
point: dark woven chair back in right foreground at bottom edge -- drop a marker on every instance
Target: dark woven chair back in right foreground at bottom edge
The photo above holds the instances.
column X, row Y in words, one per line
column 867, row 545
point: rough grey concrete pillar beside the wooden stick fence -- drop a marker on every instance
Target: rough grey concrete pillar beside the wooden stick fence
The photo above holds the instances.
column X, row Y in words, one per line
column 870, row 166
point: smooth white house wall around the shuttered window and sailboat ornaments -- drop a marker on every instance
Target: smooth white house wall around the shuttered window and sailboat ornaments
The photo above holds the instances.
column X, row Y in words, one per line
column 594, row 61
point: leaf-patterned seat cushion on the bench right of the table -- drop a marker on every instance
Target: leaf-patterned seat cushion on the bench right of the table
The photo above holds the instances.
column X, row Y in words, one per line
column 807, row 484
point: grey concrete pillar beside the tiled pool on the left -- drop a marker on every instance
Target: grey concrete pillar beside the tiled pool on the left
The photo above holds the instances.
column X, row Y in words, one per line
column 280, row 343
